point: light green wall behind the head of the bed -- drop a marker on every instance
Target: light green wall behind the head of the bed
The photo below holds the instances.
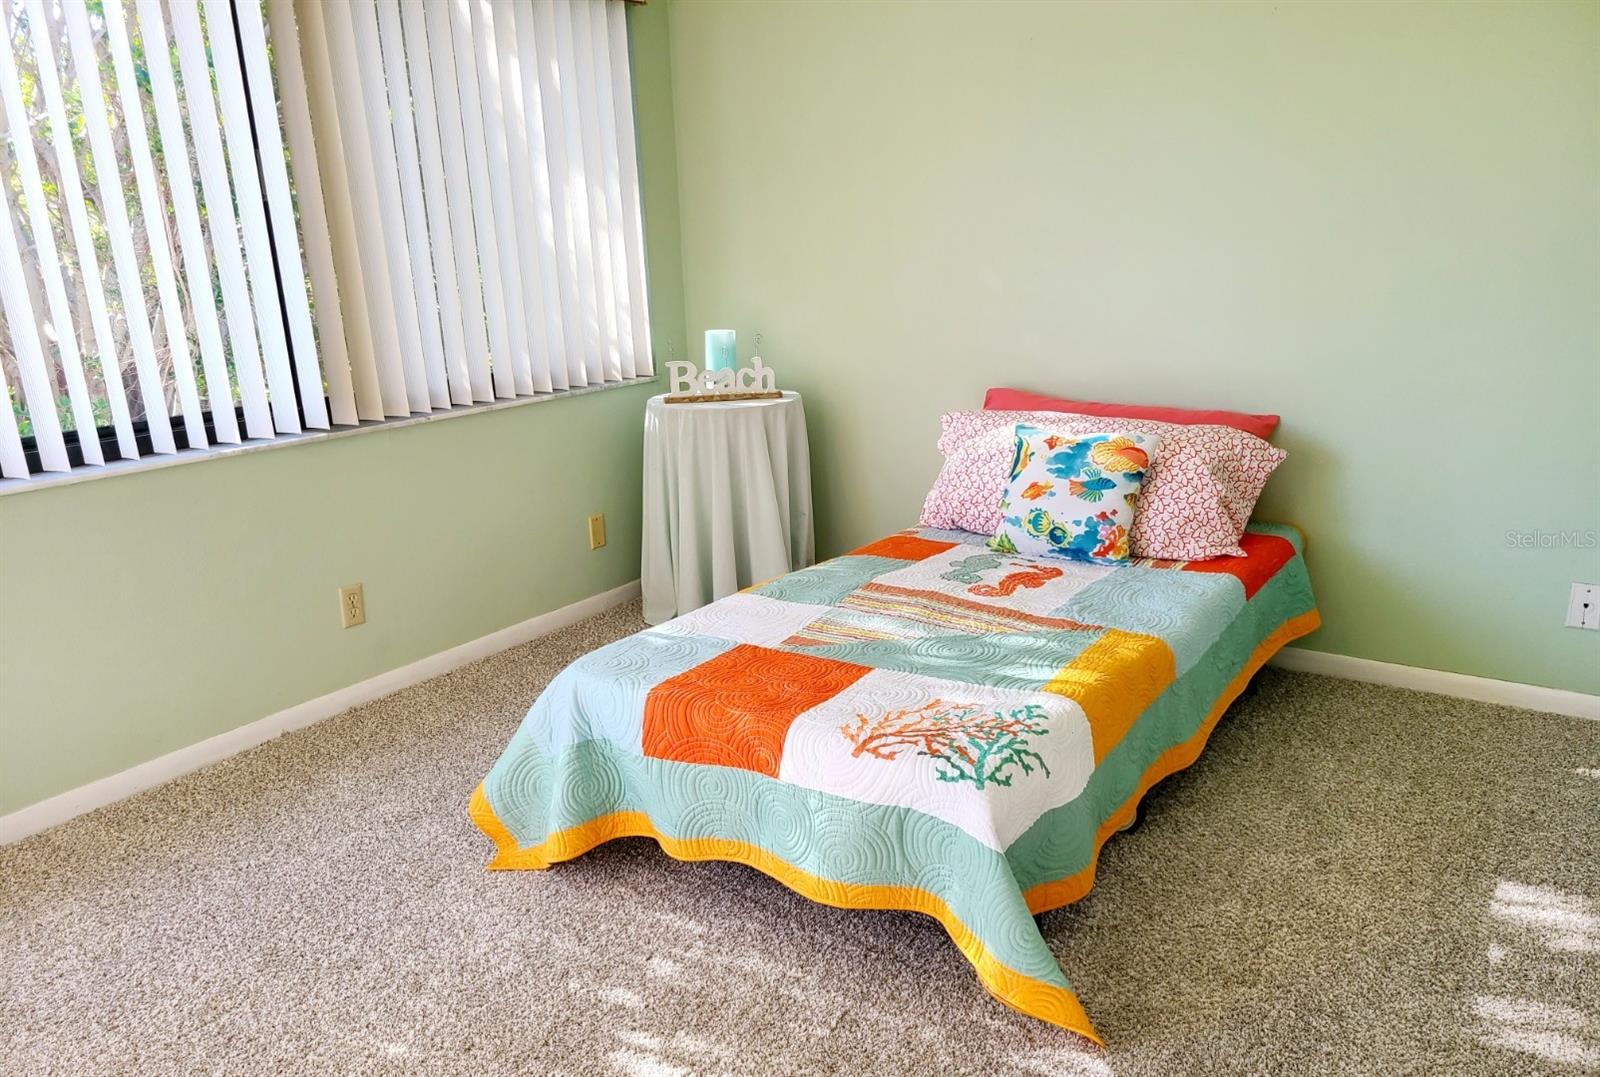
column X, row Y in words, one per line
column 1377, row 220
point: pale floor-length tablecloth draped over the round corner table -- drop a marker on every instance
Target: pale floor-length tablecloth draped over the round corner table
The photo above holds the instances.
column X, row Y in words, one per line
column 727, row 500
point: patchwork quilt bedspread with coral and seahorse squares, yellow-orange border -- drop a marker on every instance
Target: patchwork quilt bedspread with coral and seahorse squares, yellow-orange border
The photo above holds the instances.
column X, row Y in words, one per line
column 922, row 724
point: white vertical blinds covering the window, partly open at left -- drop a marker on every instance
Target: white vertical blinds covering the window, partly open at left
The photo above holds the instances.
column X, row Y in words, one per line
column 233, row 220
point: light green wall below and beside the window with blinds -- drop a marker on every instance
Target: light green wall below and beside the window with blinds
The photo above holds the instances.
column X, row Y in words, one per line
column 148, row 612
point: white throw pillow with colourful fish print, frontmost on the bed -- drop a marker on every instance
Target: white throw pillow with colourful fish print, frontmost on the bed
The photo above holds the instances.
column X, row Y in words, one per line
column 1074, row 495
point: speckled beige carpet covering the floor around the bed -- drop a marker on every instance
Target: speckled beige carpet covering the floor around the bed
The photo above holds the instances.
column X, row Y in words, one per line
column 1353, row 879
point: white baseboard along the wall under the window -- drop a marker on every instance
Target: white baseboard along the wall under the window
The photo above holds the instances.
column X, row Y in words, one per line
column 97, row 795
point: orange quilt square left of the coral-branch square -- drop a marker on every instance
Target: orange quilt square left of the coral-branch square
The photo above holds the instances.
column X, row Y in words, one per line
column 735, row 710
